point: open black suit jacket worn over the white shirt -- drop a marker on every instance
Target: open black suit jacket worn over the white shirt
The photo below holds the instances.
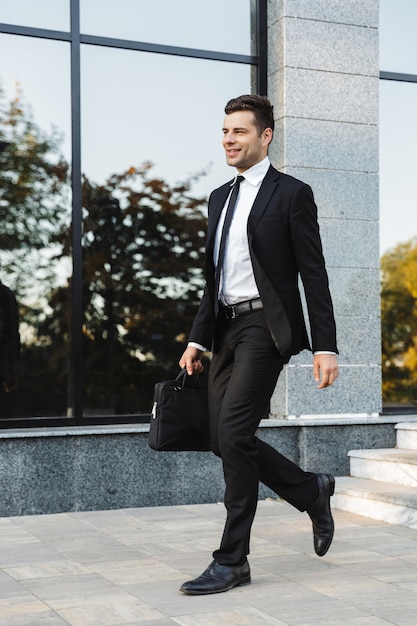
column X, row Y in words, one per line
column 284, row 243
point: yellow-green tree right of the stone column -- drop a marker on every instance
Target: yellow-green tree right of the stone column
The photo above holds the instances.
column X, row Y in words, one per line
column 399, row 323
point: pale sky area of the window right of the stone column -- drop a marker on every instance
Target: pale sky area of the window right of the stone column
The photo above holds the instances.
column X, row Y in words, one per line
column 398, row 99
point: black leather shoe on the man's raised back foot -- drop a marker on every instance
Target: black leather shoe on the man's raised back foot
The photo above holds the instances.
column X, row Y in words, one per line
column 321, row 515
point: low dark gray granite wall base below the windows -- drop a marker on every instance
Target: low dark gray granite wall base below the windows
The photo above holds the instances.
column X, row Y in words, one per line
column 112, row 467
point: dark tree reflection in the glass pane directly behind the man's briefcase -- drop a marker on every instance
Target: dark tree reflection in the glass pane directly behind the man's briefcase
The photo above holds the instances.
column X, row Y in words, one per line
column 143, row 256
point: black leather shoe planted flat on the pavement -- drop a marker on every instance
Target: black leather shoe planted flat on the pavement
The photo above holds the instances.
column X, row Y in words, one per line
column 217, row 578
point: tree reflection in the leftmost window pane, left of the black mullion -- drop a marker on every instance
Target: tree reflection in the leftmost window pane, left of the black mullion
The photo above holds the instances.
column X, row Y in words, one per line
column 34, row 199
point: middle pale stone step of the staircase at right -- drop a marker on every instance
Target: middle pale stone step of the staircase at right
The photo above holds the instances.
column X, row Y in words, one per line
column 392, row 465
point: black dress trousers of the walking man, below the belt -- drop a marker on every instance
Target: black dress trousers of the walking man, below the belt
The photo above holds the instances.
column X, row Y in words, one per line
column 243, row 374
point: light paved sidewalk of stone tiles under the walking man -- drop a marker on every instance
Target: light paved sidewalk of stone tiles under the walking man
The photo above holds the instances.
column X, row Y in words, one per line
column 125, row 568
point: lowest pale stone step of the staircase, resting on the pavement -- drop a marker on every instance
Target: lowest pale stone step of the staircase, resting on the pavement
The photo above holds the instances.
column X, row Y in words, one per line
column 383, row 501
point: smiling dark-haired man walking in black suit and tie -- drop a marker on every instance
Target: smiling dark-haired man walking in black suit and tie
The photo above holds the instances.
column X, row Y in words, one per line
column 251, row 317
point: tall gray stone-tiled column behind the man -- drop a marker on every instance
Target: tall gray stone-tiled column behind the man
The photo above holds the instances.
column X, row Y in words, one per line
column 323, row 81
